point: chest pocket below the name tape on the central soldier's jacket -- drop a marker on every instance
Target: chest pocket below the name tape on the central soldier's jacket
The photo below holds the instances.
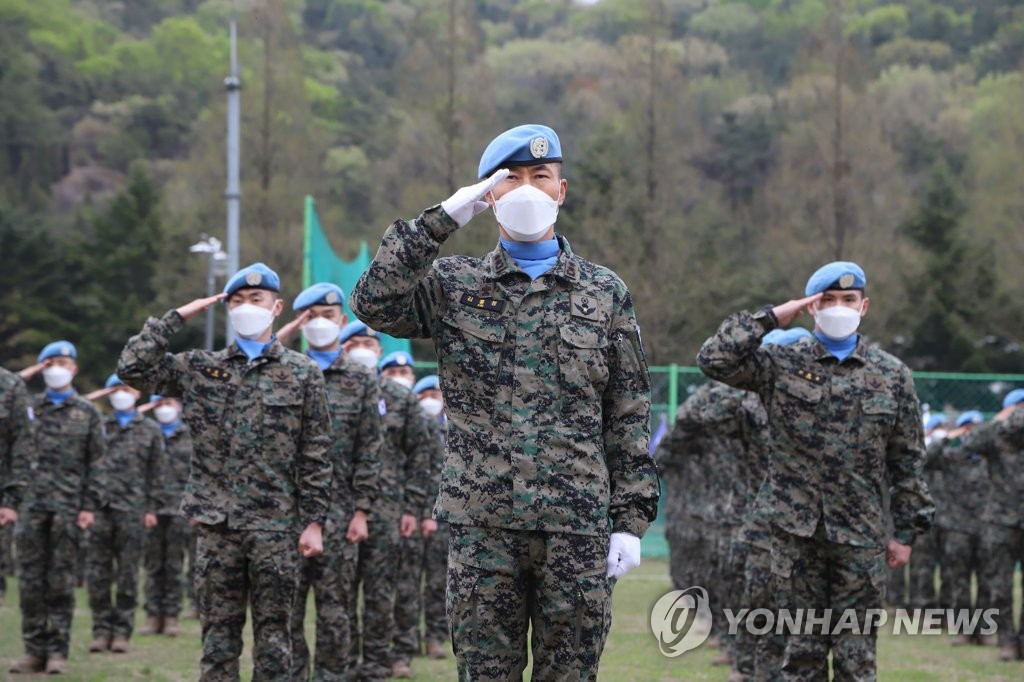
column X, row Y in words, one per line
column 472, row 356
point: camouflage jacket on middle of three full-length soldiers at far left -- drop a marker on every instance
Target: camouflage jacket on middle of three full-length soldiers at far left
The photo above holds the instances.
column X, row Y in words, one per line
column 133, row 468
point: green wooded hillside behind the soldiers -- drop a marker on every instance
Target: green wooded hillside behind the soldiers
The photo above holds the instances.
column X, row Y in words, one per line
column 717, row 153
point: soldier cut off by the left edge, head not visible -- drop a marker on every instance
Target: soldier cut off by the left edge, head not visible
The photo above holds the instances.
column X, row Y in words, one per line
column 16, row 442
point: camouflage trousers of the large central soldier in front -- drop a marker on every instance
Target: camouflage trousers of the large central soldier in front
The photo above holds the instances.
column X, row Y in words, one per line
column 502, row 583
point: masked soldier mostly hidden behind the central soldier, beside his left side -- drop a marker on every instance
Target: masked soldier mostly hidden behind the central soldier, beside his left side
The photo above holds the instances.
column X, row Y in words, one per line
column 429, row 392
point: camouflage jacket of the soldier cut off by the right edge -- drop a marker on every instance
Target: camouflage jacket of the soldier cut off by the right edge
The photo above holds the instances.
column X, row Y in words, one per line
column 1002, row 444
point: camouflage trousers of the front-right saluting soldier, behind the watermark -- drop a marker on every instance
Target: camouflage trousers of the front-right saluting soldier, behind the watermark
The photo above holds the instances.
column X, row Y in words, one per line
column 813, row 573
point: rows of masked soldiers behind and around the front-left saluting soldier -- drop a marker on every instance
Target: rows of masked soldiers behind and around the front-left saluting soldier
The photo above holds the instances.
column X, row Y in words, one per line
column 99, row 492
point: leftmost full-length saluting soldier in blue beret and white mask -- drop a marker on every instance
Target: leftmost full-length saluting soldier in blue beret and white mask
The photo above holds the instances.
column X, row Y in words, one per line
column 63, row 495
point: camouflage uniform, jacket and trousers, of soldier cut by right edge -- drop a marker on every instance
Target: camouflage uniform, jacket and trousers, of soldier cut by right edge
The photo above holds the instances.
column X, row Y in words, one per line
column 1002, row 444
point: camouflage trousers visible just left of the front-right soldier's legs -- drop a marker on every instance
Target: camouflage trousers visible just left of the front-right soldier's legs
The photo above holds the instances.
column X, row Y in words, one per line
column 759, row 659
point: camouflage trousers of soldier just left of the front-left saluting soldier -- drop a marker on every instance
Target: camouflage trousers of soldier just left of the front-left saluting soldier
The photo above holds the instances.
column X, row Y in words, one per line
column 164, row 559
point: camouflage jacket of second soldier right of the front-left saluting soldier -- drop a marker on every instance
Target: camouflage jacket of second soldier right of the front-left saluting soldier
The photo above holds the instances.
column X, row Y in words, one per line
column 406, row 452
